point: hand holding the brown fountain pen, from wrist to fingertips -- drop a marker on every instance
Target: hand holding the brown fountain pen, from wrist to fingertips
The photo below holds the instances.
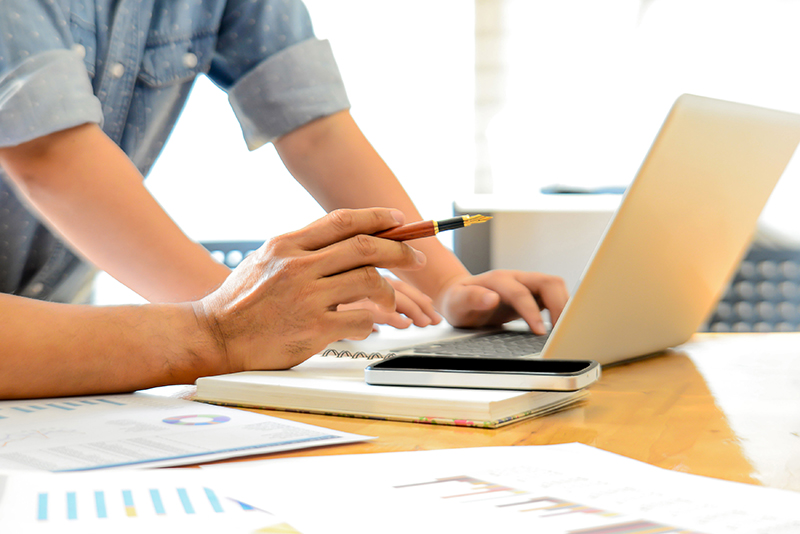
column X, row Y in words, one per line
column 280, row 305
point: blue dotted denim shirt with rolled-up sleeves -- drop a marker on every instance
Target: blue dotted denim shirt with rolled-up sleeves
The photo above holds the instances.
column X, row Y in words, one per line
column 129, row 65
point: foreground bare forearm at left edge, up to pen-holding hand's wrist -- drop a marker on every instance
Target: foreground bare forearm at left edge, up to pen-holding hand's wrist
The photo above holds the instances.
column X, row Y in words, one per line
column 57, row 350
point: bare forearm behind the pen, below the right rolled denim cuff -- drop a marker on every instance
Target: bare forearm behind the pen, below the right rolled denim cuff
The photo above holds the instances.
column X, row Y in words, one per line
column 333, row 160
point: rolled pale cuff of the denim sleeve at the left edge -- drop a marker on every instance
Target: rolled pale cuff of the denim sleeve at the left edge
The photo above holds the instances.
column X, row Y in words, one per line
column 47, row 93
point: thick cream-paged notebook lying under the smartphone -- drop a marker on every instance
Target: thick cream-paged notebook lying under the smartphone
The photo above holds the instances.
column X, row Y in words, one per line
column 332, row 383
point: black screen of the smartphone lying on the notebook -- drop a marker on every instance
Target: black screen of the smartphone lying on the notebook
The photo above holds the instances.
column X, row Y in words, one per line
column 484, row 365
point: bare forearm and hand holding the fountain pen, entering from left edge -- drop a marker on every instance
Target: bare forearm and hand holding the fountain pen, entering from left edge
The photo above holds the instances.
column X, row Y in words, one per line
column 276, row 309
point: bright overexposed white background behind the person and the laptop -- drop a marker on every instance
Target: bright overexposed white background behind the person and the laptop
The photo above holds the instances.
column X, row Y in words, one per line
column 492, row 97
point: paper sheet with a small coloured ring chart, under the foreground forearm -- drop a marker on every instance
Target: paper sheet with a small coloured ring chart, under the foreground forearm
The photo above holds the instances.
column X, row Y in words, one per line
column 77, row 433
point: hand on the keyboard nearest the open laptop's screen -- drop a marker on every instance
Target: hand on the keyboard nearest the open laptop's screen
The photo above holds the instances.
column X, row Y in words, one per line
column 496, row 297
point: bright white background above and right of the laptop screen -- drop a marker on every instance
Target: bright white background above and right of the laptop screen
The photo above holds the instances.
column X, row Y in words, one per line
column 589, row 83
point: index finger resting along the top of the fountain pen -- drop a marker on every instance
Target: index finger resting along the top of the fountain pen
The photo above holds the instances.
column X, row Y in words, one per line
column 340, row 225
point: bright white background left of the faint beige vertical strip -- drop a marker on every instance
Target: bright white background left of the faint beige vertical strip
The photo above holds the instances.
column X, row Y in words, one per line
column 408, row 68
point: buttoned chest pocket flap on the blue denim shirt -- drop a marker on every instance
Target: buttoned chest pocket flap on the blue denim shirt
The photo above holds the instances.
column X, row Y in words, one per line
column 177, row 61
